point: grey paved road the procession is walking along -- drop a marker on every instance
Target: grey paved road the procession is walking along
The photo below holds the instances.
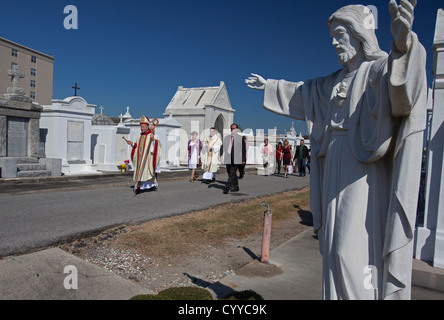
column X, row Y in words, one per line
column 45, row 215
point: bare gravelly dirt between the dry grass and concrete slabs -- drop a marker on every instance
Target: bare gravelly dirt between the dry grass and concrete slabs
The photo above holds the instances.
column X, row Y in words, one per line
column 204, row 265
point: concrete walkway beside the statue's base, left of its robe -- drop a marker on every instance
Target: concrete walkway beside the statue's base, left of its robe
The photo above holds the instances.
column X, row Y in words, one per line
column 294, row 272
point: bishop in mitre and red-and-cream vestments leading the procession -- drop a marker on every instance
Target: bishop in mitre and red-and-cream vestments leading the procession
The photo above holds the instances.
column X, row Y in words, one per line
column 145, row 156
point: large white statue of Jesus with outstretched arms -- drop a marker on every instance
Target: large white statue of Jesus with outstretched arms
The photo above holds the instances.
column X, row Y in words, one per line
column 366, row 124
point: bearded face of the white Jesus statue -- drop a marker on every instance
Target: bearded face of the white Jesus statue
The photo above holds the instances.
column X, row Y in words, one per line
column 347, row 46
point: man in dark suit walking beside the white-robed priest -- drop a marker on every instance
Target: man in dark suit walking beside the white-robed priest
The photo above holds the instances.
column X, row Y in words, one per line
column 234, row 152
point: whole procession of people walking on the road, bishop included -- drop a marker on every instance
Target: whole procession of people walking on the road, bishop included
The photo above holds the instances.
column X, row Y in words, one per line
column 207, row 154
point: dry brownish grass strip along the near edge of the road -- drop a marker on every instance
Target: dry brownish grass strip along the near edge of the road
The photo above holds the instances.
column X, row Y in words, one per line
column 182, row 234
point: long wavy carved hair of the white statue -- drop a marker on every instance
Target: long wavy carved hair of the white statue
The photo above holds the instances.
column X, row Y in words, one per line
column 354, row 17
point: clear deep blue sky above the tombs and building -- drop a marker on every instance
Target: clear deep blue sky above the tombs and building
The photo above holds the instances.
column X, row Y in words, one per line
column 136, row 53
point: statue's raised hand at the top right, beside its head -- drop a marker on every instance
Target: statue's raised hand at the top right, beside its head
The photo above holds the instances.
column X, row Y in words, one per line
column 402, row 22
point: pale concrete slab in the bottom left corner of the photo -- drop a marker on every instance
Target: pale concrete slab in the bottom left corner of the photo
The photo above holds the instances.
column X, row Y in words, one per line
column 40, row 276
